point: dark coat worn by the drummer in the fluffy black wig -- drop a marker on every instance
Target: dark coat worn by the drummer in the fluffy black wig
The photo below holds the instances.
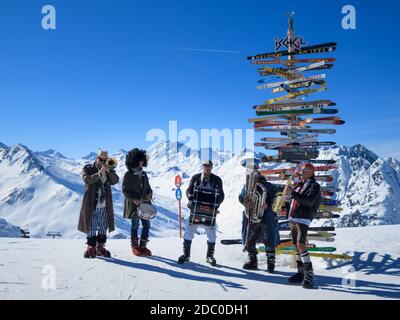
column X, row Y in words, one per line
column 135, row 186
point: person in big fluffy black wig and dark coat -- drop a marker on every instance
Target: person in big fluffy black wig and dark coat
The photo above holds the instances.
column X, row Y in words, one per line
column 137, row 190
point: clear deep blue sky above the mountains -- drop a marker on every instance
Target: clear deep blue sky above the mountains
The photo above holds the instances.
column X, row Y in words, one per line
column 108, row 73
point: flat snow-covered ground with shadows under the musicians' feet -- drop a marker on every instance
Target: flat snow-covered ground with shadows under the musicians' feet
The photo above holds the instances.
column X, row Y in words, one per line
column 27, row 265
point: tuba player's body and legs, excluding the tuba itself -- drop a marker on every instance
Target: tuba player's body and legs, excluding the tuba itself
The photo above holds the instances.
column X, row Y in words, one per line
column 266, row 230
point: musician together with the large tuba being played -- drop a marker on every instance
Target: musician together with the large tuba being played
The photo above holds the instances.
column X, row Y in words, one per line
column 263, row 226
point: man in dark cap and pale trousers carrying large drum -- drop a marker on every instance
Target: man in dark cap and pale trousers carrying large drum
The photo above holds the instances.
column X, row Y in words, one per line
column 205, row 190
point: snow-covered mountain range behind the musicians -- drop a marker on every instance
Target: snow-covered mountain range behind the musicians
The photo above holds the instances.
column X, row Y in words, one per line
column 42, row 191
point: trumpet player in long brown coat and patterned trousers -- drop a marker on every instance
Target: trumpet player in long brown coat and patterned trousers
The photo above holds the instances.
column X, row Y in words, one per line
column 97, row 212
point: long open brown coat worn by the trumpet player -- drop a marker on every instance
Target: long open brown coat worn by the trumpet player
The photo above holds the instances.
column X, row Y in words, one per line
column 91, row 178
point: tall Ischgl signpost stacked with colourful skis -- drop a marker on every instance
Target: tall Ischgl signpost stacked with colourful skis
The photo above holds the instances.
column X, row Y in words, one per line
column 298, row 119
